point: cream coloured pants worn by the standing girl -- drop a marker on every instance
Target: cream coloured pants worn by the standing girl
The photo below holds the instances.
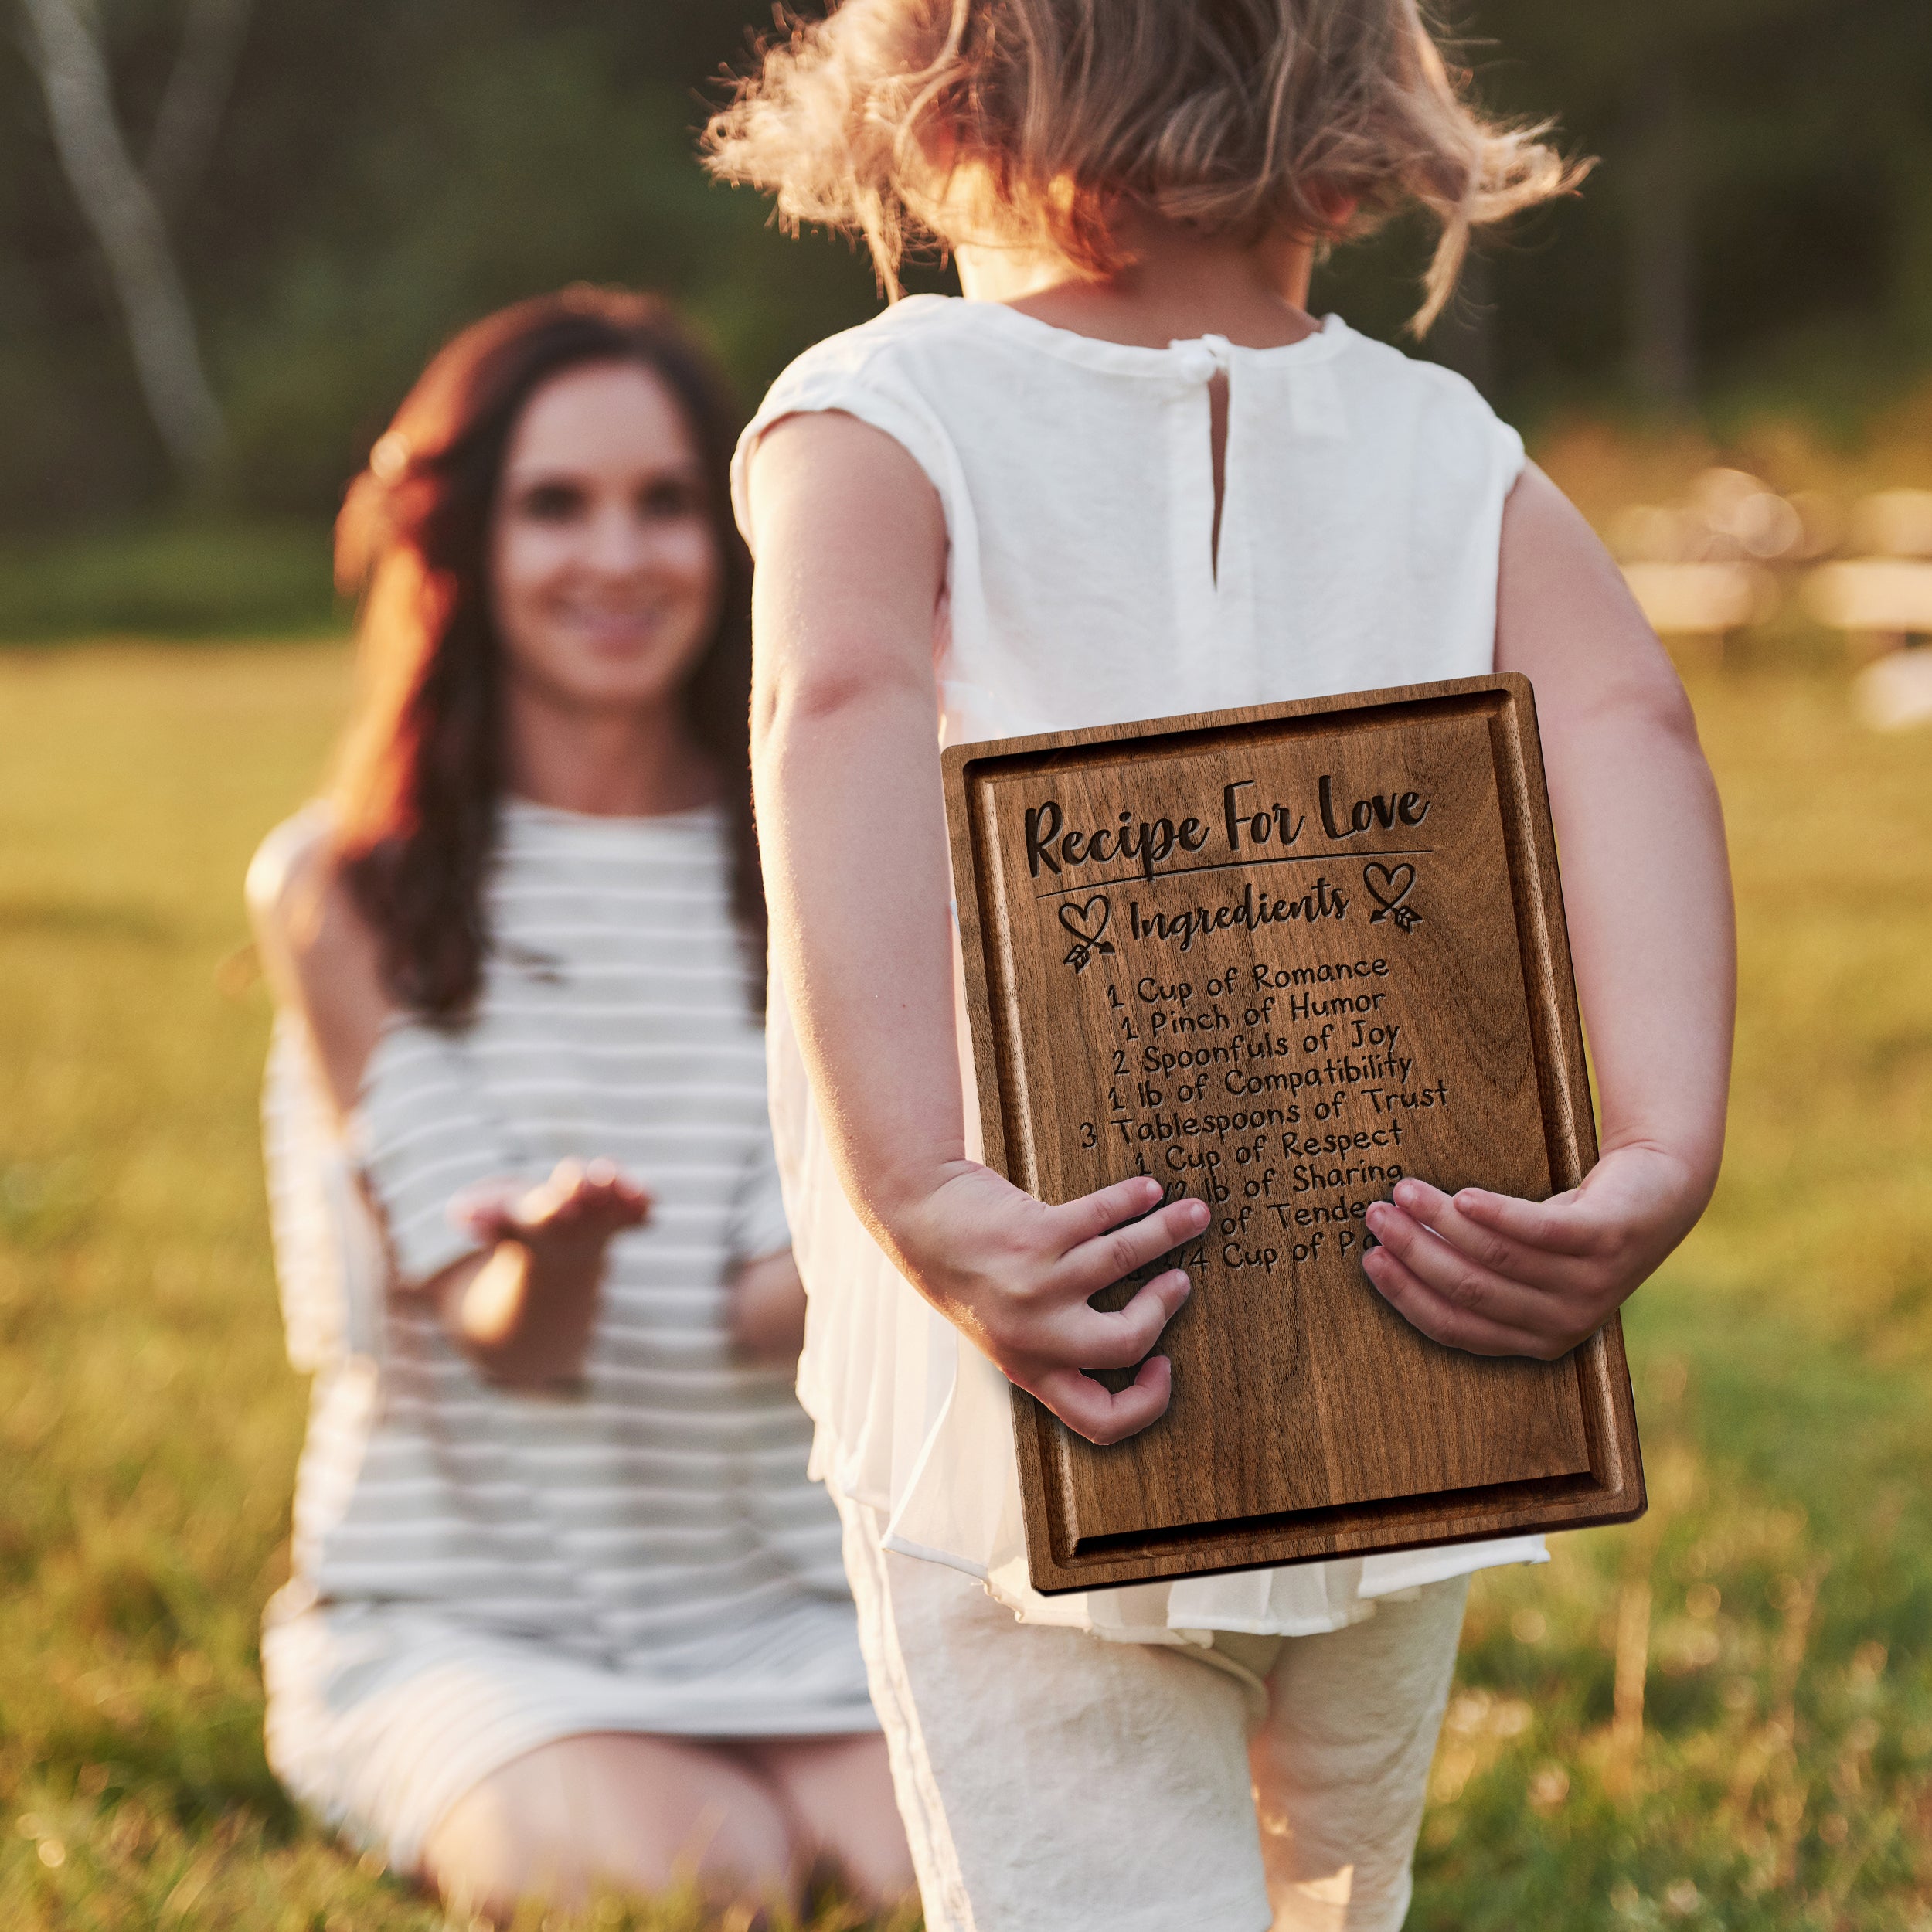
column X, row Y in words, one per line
column 1056, row 1782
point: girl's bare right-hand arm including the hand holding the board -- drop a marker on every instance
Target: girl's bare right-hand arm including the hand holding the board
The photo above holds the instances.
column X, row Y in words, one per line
column 1649, row 899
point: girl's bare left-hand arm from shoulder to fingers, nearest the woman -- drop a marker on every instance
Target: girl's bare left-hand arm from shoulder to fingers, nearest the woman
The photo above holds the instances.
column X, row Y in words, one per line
column 851, row 563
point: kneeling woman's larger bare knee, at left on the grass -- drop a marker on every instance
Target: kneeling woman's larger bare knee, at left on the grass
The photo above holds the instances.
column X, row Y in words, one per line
column 615, row 1811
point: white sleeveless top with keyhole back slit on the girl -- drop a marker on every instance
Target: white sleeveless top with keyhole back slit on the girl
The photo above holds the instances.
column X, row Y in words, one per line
column 1359, row 550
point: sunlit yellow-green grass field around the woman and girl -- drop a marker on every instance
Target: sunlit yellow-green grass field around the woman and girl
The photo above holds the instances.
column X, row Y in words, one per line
column 1720, row 1717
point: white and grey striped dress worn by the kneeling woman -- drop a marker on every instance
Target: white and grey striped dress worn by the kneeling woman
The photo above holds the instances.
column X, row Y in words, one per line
column 480, row 1572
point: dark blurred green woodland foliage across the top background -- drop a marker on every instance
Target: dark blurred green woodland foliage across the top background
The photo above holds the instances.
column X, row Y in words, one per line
column 1759, row 237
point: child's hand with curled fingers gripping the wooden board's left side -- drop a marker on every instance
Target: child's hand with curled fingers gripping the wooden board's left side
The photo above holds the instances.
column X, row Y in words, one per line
column 1017, row 1276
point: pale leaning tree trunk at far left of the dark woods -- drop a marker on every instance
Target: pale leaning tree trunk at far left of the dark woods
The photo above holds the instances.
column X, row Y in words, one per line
column 132, row 235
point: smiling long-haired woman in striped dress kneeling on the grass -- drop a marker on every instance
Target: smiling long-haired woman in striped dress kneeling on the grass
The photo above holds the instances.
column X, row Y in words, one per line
column 567, row 1610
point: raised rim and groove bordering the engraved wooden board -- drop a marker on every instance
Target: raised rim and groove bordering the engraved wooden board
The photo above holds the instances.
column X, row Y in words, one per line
column 1616, row 1489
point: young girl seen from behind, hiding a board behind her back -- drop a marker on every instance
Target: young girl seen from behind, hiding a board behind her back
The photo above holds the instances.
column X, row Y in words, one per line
column 1129, row 476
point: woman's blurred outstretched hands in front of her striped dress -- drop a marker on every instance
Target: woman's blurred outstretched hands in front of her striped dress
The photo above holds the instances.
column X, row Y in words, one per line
column 525, row 1311
